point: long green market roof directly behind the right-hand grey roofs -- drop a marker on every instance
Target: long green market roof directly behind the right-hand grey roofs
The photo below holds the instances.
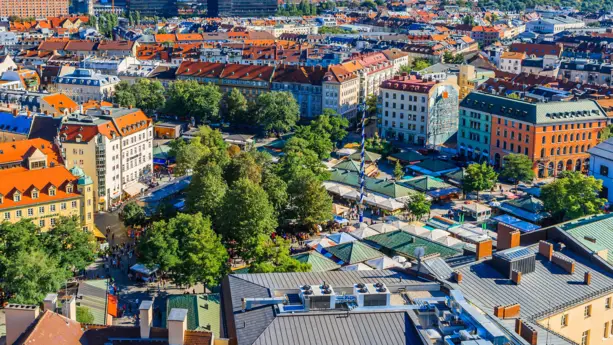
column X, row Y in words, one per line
column 403, row 243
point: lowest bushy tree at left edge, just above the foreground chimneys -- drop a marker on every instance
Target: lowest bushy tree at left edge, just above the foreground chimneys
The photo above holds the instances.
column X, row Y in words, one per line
column 31, row 274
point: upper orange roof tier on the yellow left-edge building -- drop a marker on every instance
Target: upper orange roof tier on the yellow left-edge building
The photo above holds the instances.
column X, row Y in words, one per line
column 20, row 150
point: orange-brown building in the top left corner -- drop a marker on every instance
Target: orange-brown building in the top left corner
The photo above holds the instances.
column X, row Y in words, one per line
column 34, row 8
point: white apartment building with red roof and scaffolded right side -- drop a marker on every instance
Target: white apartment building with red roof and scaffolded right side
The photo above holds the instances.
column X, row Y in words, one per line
column 418, row 111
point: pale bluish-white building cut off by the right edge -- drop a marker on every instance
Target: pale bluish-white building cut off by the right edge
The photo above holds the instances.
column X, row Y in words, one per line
column 601, row 167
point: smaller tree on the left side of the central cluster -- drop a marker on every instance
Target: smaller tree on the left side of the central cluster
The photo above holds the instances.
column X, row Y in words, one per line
column 206, row 189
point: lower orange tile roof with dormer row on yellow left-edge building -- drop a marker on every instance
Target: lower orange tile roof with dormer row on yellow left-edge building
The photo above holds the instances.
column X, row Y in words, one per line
column 24, row 181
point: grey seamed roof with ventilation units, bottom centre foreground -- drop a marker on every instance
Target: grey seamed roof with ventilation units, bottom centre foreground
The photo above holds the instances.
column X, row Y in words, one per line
column 252, row 325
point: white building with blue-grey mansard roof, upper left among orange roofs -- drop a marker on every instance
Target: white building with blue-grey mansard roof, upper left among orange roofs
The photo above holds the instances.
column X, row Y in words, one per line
column 83, row 85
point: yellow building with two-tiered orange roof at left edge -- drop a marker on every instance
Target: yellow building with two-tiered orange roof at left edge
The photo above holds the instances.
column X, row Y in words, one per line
column 34, row 184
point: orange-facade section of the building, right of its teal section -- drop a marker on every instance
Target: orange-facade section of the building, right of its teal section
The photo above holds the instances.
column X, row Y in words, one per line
column 555, row 135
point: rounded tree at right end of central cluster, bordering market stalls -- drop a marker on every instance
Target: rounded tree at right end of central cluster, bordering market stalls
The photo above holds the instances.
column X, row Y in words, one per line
column 310, row 203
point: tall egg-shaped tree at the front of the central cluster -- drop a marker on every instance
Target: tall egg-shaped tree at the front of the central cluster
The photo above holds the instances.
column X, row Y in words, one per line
column 244, row 215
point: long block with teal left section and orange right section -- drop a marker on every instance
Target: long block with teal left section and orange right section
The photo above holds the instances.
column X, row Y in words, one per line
column 556, row 136
